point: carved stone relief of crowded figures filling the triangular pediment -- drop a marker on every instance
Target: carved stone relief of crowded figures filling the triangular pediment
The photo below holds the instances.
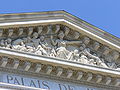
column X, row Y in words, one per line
column 62, row 43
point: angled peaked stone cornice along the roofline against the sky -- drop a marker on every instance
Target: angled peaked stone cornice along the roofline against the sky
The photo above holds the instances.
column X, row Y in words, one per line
column 59, row 17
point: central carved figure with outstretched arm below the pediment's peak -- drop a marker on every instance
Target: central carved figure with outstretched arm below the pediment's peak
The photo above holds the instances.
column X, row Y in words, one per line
column 60, row 44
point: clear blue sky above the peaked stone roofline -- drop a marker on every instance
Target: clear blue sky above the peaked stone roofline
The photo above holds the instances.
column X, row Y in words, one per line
column 104, row 14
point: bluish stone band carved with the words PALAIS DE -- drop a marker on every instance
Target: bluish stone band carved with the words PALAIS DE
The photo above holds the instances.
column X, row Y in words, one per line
column 43, row 83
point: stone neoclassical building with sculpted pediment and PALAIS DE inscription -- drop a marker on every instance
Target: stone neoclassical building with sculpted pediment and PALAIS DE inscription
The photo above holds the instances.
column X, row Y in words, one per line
column 56, row 51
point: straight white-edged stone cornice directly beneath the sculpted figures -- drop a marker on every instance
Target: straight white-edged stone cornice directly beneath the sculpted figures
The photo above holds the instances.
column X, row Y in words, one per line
column 58, row 62
